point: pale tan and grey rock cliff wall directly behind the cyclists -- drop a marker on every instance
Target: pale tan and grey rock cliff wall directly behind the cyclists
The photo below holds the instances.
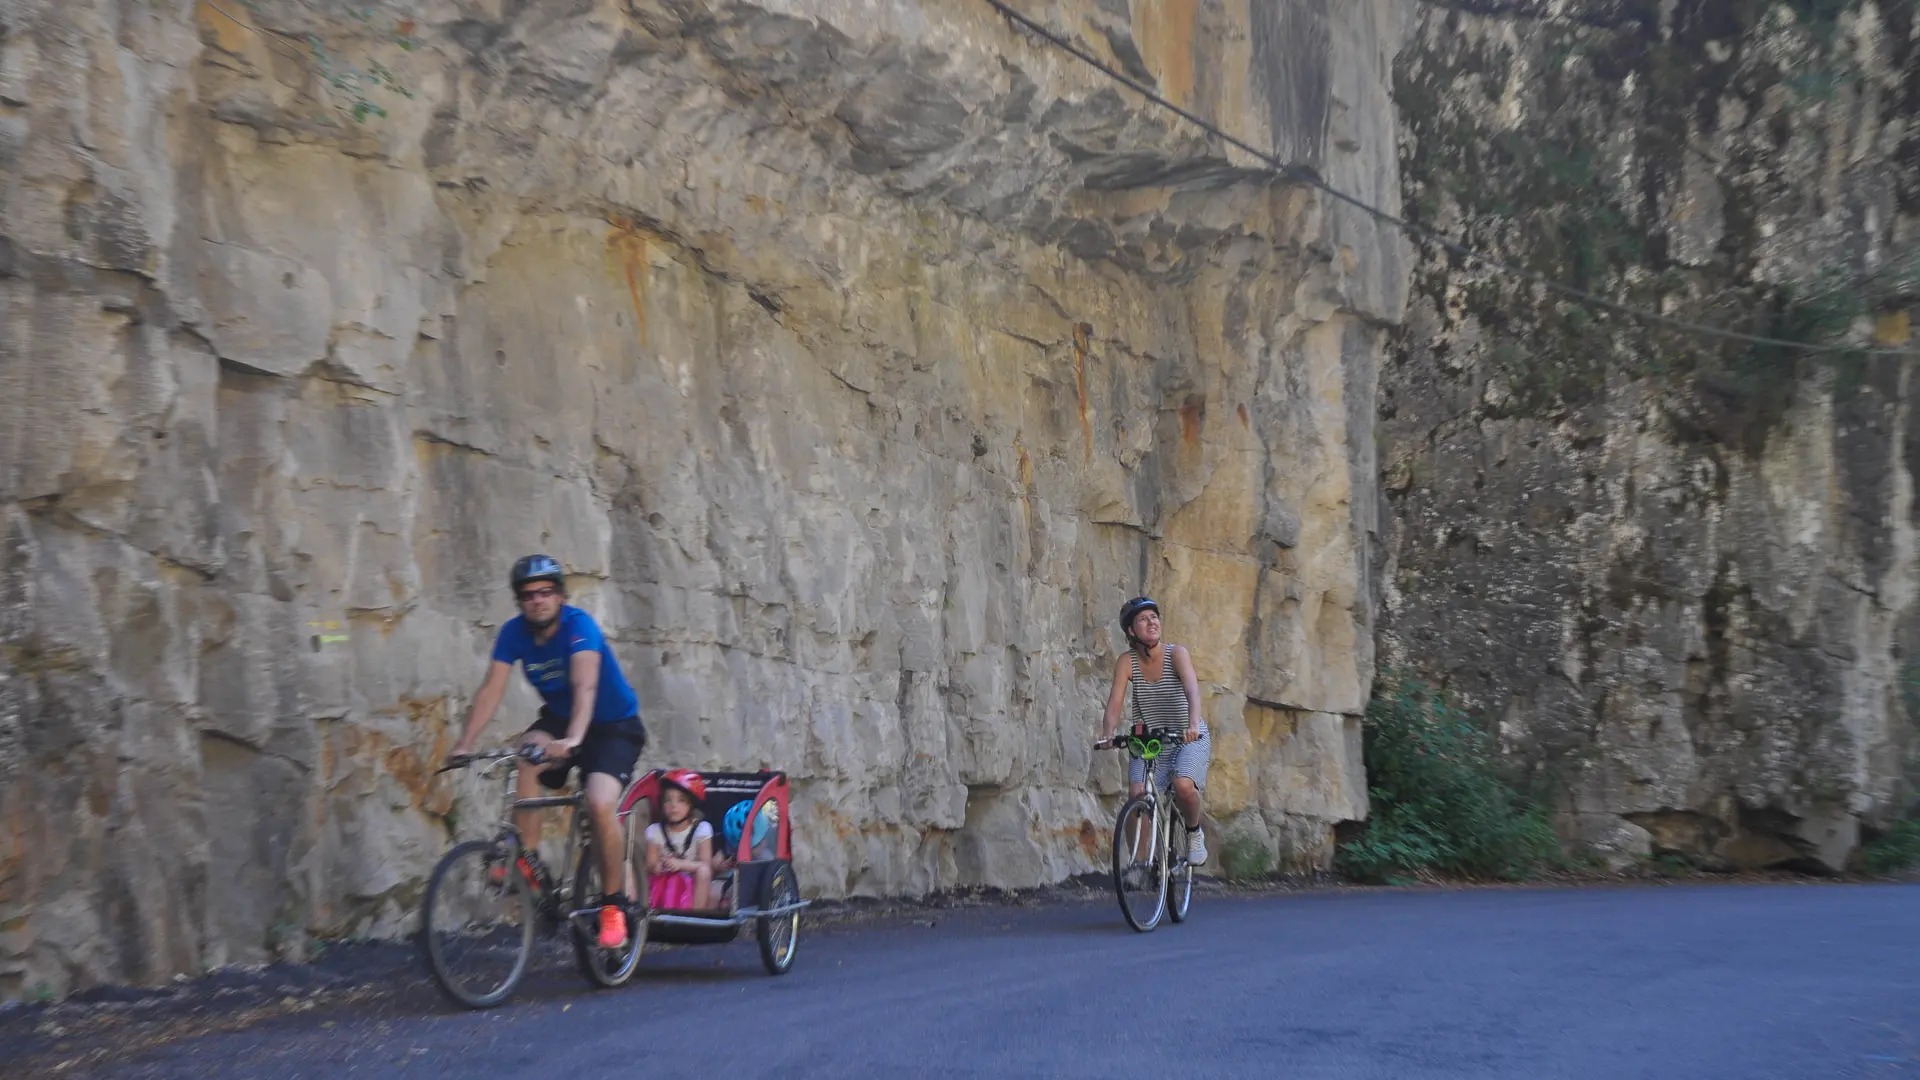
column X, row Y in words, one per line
column 859, row 358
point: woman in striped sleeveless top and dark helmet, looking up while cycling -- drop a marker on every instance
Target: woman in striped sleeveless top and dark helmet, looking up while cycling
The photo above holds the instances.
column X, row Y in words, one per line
column 1170, row 706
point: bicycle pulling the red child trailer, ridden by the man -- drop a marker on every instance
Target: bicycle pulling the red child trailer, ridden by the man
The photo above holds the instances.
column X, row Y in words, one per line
column 489, row 900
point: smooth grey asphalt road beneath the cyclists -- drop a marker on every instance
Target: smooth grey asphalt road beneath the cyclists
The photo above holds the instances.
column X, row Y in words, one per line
column 1664, row 983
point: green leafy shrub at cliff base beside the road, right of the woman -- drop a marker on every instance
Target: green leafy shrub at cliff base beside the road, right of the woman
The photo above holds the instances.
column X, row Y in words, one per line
column 1439, row 800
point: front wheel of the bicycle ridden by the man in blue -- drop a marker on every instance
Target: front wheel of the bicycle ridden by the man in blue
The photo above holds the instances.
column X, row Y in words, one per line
column 477, row 923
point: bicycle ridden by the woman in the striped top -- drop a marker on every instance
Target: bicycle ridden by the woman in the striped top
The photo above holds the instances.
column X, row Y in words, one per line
column 1151, row 870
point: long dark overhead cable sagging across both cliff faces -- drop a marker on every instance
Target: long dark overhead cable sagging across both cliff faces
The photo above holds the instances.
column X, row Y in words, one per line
column 1301, row 174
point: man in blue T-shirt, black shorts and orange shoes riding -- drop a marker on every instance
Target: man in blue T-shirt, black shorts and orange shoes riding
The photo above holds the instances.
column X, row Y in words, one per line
column 590, row 720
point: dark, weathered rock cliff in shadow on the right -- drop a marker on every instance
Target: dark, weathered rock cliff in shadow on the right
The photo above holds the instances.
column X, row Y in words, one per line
column 1679, row 574
